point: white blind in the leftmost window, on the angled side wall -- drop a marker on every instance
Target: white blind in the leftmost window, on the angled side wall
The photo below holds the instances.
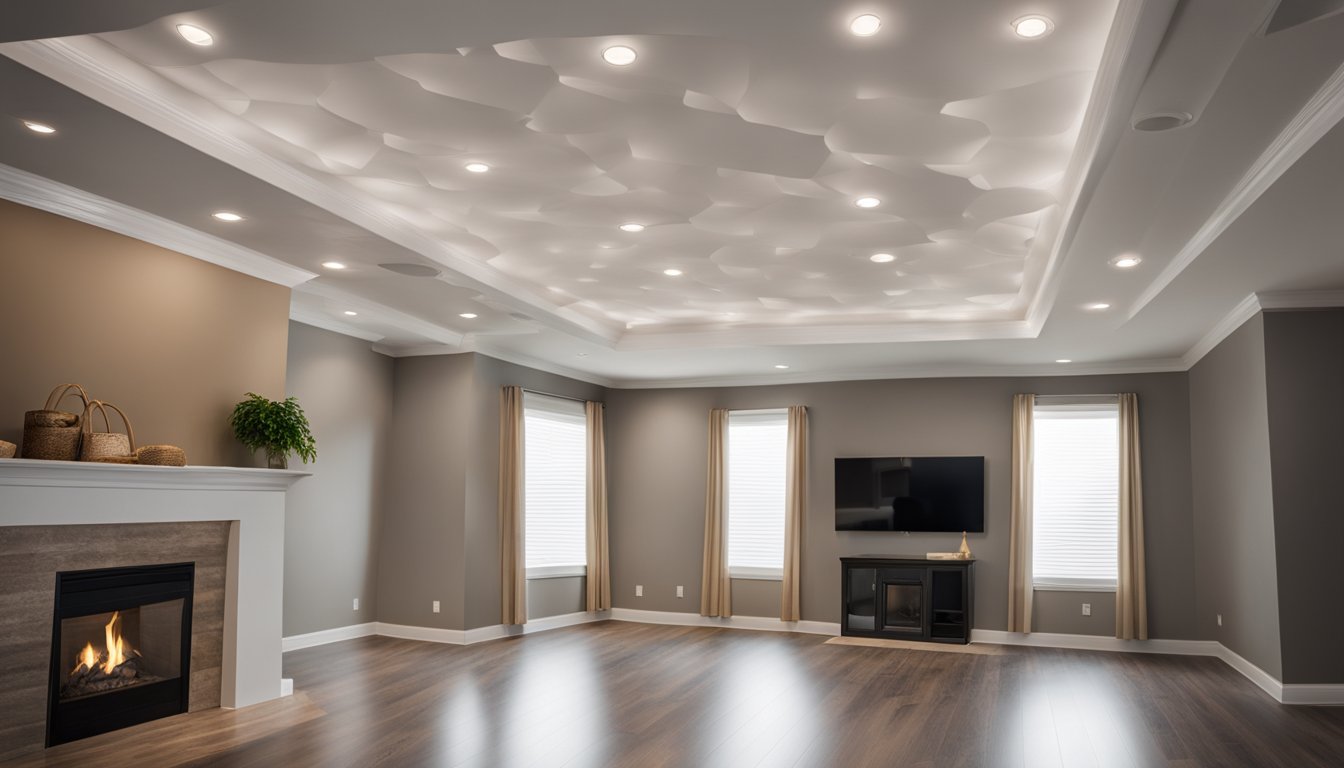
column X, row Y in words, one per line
column 554, row 486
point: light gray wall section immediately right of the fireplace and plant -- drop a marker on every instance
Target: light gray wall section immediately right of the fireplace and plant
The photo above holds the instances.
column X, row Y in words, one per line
column 333, row 519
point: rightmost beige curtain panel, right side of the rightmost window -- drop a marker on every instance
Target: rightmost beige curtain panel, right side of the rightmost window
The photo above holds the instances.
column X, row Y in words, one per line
column 1131, row 591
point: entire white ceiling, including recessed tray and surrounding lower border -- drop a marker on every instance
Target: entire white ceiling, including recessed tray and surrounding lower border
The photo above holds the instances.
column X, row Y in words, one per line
column 741, row 138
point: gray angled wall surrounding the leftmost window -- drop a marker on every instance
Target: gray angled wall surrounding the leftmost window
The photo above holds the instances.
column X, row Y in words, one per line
column 442, row 525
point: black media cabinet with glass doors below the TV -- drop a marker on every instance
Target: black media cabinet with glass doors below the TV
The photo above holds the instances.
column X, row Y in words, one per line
column 907, row 598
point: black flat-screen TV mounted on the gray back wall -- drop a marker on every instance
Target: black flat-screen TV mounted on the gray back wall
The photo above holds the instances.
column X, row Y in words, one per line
column 935, row 494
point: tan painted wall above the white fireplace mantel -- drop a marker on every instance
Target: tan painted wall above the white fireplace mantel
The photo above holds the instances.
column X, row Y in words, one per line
column 174, row 341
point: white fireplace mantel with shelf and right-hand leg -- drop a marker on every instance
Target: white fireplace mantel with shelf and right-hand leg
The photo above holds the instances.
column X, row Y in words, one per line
column 72, row 493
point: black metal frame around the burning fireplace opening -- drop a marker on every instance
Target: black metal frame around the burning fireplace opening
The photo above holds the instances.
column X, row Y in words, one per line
column 100, row 591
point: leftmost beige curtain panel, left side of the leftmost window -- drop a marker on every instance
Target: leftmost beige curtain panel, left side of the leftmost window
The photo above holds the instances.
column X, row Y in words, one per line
column 511, row 508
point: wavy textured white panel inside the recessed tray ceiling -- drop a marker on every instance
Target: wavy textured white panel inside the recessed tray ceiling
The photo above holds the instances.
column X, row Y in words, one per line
column 741, row 142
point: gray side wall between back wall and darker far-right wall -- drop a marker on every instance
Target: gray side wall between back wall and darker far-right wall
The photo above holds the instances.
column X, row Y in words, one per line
column 1233, row 501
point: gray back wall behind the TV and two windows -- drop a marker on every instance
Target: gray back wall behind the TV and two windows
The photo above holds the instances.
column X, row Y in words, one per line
column 657, row 454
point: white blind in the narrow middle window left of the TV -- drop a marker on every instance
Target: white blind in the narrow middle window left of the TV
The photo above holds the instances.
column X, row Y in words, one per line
column 757, row 454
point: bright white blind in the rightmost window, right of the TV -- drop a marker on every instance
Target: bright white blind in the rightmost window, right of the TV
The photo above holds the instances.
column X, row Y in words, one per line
column 1076, row 509
